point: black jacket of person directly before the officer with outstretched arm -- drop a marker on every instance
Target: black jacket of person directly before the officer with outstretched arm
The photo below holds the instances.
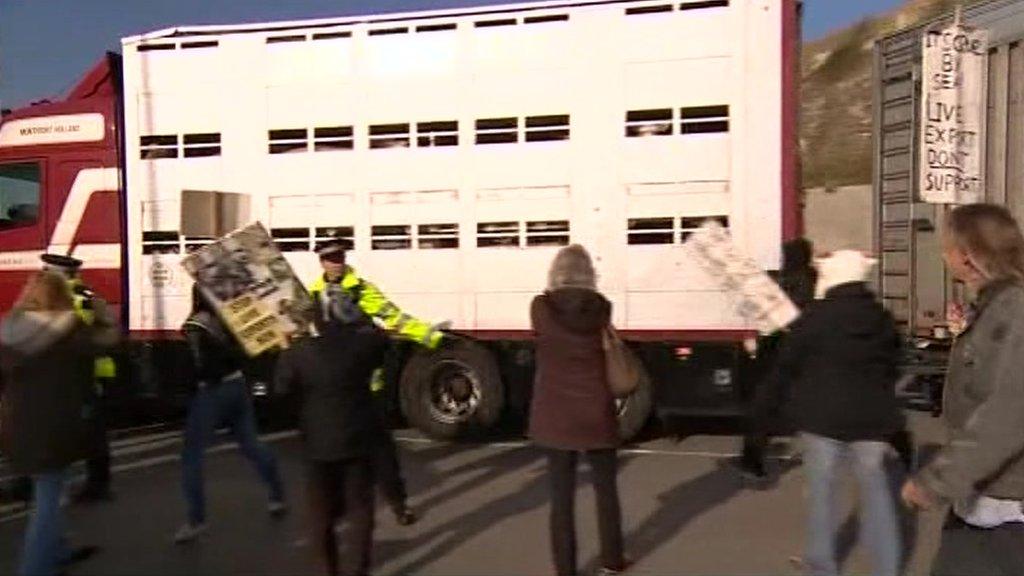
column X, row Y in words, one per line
column 330, row 376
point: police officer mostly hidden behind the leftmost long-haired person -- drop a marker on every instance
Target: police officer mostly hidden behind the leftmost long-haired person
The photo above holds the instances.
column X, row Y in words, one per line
column 94, row 312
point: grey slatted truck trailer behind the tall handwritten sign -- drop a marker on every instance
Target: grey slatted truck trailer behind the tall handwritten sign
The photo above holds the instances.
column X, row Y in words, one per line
column 913, row 281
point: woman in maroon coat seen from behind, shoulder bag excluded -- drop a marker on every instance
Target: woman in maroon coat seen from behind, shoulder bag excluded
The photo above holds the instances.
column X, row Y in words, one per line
column 573, row 409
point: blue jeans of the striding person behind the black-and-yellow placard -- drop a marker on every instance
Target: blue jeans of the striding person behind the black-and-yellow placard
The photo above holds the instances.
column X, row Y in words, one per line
column 226, row 404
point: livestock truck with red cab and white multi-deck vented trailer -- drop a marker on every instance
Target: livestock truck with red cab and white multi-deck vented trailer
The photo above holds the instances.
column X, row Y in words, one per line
column 457, row 151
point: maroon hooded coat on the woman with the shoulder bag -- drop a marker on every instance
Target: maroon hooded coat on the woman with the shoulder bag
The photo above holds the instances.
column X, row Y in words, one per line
column 573, row 408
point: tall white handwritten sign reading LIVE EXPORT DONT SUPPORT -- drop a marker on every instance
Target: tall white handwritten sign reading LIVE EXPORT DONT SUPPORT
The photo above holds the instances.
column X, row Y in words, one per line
column 954, row 104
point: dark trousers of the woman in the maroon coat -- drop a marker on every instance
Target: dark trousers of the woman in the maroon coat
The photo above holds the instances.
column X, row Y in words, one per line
column 563, row 473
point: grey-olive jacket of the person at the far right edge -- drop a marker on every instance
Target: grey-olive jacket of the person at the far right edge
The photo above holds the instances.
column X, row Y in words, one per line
column 985, row 403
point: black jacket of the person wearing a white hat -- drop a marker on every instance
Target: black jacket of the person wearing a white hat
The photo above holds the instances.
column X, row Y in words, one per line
column 840, row 359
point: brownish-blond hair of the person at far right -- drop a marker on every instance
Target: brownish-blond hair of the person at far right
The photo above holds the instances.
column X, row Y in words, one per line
column 991, row 237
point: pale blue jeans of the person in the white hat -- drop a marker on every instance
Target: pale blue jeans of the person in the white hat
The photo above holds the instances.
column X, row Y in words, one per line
column 823, row 458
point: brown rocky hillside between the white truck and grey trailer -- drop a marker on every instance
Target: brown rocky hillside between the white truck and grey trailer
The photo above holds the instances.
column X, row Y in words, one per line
column 836, row 96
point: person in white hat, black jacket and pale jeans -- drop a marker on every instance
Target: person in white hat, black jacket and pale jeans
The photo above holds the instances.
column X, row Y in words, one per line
column 840, row 363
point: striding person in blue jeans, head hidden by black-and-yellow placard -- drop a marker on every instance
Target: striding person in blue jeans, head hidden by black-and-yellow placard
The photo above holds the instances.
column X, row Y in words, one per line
column 222, row 399
